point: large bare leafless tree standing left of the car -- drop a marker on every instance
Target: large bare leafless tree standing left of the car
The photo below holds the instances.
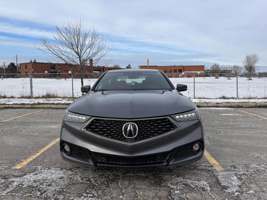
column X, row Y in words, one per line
column 72, row 44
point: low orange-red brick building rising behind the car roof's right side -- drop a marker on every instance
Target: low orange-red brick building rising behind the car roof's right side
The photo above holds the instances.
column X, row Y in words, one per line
column 178, row 70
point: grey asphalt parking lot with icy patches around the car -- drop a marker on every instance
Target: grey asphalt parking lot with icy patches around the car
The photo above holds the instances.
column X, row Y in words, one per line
column 234, row 165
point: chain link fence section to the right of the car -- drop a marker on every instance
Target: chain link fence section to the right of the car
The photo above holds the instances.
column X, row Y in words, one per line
column 224, row 87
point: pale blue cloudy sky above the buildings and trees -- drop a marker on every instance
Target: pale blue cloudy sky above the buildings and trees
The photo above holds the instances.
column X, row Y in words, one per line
column 167, row 32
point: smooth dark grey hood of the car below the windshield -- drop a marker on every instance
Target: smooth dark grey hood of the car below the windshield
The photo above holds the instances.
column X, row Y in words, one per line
column 131, row 104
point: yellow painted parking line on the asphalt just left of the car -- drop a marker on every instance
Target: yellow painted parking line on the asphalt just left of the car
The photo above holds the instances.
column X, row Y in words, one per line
column 25, row 162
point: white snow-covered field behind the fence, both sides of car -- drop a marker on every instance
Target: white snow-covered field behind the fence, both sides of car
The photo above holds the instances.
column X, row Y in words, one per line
column 207, row 87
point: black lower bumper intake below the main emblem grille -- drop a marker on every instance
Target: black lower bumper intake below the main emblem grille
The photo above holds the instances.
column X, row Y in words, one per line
column 130, row 161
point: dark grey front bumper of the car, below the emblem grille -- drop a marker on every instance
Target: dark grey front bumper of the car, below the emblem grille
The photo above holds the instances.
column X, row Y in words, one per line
column 172, row 148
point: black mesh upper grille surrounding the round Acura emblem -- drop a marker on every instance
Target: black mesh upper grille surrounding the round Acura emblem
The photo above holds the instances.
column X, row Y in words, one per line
column 147, row 128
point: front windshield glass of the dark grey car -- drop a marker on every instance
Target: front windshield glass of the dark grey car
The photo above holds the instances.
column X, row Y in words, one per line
column 133, row 80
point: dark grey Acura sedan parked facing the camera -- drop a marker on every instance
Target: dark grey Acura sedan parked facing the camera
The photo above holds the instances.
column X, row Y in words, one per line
column 132, row 118
